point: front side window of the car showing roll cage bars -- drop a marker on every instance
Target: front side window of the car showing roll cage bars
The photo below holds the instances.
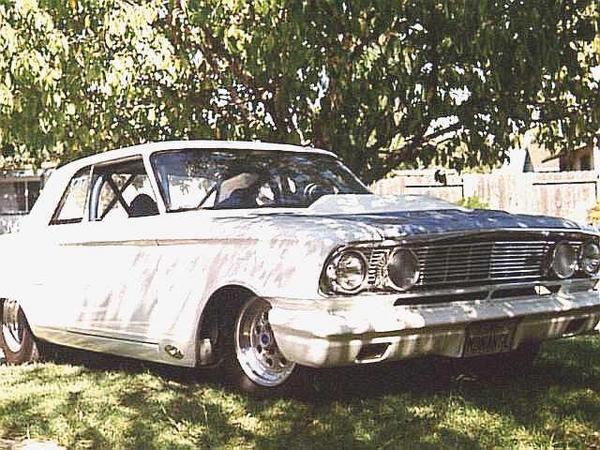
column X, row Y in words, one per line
column 121, row 190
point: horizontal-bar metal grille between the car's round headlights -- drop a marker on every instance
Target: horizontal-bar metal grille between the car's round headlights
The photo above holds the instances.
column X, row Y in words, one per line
column 471, row 263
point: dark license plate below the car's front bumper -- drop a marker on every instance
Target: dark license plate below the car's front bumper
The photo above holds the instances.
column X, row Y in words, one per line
column 487, row 338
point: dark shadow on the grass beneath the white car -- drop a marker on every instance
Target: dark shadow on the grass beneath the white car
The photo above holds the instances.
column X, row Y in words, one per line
column 571, row 364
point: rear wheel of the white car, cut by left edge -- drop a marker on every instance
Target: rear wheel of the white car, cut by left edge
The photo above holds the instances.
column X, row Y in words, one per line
column 16, row 339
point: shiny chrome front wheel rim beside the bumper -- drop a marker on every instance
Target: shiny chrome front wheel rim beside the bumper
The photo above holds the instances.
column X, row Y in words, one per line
column 255, row 346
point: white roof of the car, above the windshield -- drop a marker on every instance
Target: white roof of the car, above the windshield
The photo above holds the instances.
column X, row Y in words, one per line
column 147, row 149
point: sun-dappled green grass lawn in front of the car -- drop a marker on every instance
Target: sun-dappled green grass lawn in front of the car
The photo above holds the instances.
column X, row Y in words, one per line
column 89, row 402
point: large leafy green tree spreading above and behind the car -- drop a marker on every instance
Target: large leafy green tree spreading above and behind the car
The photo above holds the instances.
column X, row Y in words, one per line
column 380, row 83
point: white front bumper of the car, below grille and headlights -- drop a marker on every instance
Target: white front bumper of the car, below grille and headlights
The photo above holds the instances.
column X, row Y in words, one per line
column 341, row 331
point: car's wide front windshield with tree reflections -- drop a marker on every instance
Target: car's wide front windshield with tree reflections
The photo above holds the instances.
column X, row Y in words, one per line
column 231, row 179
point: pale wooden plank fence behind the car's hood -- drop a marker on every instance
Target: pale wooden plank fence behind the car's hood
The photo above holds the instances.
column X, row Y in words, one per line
column 565, row 194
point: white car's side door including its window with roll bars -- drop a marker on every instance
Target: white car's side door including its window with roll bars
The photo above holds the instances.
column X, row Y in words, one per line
column 121, row 253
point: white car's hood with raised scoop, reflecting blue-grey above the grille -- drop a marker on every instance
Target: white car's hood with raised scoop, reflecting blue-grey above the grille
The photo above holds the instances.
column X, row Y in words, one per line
column 403, row 215
